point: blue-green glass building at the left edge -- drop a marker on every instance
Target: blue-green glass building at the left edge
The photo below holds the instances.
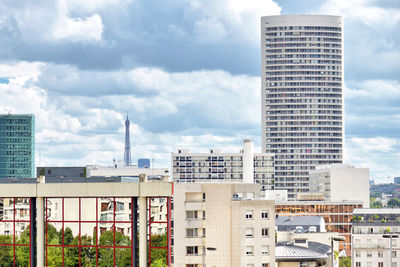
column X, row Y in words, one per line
column 17, row 146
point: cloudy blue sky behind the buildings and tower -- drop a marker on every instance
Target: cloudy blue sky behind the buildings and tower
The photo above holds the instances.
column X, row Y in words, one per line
column 188, row 73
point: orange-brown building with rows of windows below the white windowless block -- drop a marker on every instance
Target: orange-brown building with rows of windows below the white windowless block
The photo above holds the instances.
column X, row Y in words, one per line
column 337, row 215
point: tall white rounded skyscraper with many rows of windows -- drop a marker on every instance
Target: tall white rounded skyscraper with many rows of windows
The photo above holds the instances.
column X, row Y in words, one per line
column 302, row 95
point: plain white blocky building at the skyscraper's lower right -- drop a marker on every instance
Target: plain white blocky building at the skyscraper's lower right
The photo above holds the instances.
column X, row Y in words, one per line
column 338, row 182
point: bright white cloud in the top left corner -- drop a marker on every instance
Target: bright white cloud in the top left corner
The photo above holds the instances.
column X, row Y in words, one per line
column 50, row 21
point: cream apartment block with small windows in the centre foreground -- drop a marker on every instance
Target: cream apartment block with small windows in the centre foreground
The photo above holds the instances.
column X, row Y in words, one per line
column 222, row 225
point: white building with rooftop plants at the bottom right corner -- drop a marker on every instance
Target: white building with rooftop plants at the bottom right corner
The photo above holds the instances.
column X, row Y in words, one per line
column 370, row 237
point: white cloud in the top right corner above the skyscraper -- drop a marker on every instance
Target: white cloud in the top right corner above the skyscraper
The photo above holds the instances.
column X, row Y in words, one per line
column 367, row 11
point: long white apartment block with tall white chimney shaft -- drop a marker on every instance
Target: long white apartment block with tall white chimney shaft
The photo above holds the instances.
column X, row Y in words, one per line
column 245, row 166
